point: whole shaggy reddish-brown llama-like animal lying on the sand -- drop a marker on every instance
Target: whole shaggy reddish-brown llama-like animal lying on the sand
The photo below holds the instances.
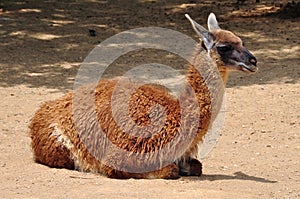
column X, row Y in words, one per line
column 65, row 135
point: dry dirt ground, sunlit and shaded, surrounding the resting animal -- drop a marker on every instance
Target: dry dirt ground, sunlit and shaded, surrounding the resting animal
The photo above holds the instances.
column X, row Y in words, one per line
column 257, row 156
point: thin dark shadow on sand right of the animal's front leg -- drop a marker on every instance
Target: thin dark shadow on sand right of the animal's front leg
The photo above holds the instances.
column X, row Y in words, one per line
column 236, row 176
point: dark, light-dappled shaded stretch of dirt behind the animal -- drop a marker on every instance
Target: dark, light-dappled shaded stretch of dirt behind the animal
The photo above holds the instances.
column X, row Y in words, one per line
column 43, row 43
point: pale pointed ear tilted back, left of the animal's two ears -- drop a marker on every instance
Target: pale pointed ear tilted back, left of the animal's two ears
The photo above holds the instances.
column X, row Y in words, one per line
column 205, row 35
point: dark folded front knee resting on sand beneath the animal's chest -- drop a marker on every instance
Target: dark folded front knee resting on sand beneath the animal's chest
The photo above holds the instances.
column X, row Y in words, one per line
column 190, row 167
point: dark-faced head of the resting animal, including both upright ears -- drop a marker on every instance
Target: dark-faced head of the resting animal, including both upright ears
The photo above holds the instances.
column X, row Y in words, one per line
column 231, row 52
